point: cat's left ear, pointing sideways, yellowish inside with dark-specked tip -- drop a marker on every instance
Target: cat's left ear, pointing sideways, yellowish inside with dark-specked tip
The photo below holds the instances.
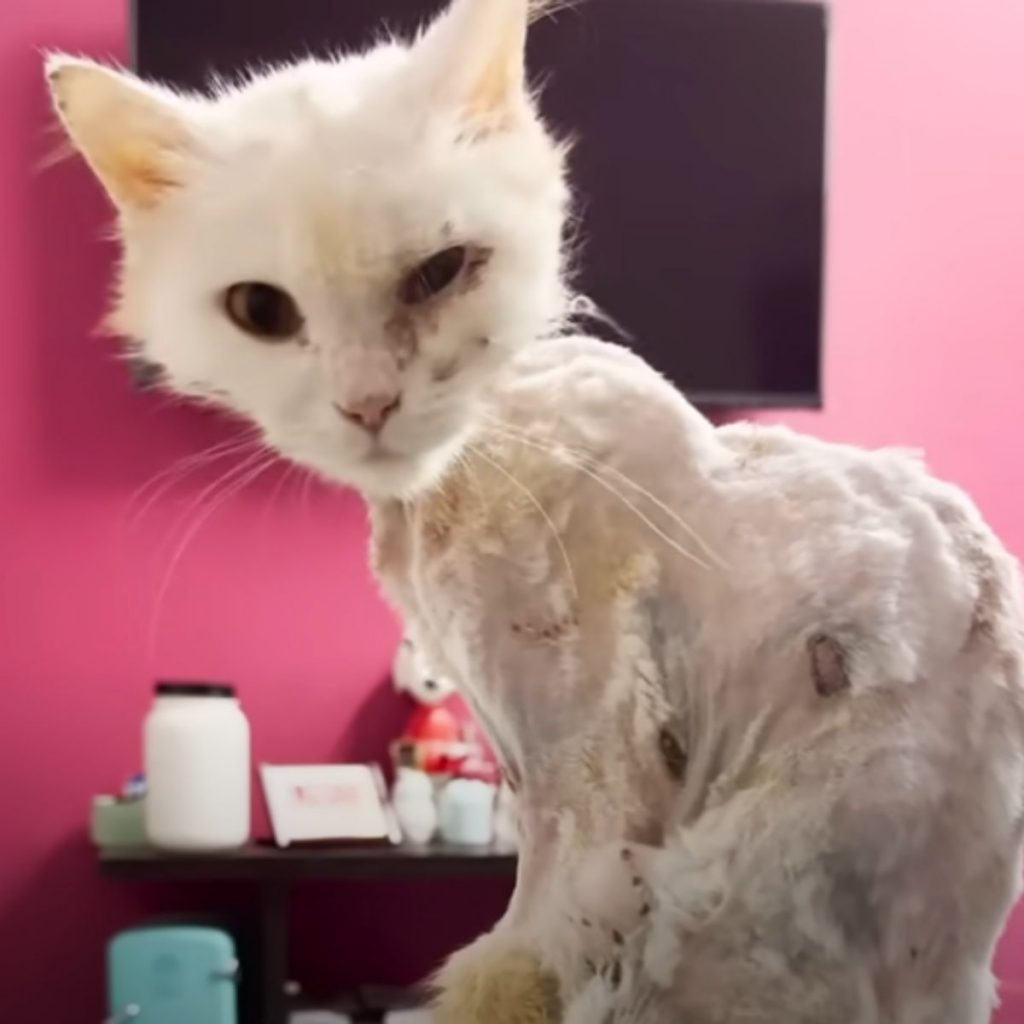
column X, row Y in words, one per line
column 135, row 137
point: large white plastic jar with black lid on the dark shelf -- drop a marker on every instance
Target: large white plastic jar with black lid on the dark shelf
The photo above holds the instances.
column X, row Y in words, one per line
column 197, row 753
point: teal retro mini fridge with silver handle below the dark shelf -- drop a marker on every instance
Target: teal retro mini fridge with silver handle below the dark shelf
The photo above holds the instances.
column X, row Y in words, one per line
column 174, row 975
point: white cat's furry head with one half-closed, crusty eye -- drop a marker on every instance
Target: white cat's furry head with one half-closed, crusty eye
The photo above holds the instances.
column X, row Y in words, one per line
column 345, row 252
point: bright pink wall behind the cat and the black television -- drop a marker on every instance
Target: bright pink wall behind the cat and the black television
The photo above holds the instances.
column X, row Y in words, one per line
column 926, row 312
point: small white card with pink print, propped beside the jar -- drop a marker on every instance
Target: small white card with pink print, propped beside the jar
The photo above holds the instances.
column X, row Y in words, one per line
column 328, row 804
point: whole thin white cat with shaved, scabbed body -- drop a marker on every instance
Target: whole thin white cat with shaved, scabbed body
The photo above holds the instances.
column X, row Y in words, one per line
column 761, row 697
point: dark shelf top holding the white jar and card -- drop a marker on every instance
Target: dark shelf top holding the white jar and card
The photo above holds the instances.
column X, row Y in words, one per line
column 268, row 864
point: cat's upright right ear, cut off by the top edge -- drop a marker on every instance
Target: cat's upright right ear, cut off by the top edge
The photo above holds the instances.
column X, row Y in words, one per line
column 477, row 53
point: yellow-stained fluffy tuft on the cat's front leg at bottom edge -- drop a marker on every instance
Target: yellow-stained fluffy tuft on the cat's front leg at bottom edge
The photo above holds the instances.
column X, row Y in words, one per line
column 491, row 983
